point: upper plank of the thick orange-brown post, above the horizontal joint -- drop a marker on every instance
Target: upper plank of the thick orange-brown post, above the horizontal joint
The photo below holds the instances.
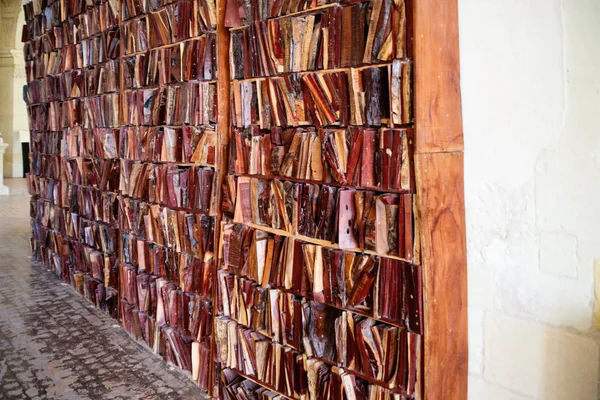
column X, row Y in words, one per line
column 437, row 105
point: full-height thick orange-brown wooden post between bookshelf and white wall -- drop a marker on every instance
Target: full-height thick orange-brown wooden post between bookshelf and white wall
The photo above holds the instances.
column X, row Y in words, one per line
column 440, row 198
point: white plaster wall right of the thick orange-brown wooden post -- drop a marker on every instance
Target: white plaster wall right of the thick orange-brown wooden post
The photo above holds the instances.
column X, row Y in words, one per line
column 531, row 104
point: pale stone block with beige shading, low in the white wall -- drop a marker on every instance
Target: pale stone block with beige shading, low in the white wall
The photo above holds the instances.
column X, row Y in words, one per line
column 538, row 361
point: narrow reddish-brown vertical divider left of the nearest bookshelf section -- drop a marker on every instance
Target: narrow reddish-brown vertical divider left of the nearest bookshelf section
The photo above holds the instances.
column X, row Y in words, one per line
column 223, row 132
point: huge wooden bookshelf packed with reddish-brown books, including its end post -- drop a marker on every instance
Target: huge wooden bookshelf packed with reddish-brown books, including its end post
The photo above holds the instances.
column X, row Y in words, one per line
column 97, row 209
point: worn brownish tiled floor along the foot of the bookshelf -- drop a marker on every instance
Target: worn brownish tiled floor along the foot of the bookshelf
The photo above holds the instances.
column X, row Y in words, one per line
column 53, row 344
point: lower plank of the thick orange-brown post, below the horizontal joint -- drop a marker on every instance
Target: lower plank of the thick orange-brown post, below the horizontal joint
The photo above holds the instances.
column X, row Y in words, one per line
column 440, row 188
